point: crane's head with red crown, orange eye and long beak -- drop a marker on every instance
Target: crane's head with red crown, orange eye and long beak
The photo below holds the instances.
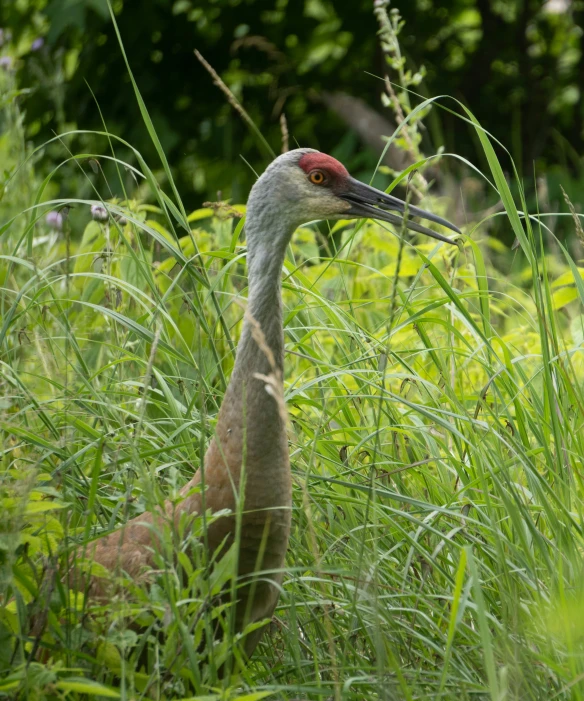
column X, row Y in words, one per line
column 306, row 185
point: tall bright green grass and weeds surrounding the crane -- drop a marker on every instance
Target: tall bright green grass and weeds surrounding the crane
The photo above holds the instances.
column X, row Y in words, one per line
column 436, row 413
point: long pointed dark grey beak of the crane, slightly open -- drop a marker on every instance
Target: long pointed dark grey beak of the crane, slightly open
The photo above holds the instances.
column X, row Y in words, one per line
column 370, row 203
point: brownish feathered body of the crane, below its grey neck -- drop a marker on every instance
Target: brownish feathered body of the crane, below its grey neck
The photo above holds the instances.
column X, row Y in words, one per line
column 265, row 521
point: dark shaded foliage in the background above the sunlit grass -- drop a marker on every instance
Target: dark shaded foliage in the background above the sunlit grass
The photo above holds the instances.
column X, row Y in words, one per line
column 516, row 63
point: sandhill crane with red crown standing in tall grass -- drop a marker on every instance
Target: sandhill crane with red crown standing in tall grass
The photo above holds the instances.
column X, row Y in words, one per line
column 250, row 435
